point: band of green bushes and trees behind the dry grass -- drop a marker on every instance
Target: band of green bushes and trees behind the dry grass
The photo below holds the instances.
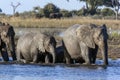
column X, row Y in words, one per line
column 90, row 9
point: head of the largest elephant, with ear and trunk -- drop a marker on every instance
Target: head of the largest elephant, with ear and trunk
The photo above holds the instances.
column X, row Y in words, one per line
column 93, row 36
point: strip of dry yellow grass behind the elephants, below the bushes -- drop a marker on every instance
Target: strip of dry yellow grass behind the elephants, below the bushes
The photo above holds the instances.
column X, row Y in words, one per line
column 43, row 22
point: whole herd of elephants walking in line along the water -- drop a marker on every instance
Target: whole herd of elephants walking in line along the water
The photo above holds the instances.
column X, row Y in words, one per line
column 80, row 44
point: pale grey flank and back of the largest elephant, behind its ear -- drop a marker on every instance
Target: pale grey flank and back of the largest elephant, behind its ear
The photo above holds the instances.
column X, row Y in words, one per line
column 71, row 43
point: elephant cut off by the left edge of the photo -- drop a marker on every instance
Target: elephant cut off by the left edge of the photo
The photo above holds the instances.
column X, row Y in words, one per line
column 7, row 43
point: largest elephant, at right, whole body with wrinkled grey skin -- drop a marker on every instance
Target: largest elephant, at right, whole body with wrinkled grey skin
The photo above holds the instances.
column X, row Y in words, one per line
column 83, row 41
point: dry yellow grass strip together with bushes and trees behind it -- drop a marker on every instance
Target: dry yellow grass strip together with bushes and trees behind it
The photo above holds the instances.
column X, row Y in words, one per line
column 40, row 17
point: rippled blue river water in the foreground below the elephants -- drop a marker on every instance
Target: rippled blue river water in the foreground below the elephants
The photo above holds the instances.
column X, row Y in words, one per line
column 37, row 72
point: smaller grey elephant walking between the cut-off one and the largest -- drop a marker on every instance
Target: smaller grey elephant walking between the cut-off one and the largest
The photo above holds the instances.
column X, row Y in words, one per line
column 31, row 45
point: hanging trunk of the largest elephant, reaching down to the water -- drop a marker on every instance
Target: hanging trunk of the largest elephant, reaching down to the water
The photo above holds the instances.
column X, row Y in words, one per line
column 104, row 50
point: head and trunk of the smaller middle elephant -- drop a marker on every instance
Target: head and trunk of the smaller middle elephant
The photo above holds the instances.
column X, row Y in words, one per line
column 47, row 45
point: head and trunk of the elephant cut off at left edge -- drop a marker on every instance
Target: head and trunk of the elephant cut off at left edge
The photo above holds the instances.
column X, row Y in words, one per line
column 7, row 36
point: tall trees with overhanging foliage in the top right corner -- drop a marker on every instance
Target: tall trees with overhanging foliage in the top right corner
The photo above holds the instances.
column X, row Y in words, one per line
column 92, row 5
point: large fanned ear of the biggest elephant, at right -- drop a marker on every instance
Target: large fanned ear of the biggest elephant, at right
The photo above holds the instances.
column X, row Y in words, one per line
column 85, row 34
